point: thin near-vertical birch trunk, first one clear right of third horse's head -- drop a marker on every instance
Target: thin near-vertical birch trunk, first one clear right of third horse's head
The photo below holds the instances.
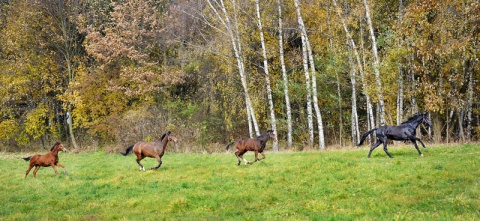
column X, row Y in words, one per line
column 284, row 74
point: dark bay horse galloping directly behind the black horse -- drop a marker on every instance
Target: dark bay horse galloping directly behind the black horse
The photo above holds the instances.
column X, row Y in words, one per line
column 252, row 144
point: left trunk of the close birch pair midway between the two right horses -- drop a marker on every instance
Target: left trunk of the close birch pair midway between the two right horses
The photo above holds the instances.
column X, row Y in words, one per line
column 307, row 74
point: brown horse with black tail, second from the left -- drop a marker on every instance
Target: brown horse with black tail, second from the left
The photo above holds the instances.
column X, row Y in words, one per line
column 151, row 149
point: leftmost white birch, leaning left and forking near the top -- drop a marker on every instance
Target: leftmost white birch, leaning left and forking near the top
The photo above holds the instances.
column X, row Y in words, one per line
column 220, row 11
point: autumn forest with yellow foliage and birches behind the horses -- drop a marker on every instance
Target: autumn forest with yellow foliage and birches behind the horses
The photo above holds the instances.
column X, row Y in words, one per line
column 95, row 73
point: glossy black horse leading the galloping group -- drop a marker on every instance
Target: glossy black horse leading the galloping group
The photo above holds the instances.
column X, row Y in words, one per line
column 406, row 131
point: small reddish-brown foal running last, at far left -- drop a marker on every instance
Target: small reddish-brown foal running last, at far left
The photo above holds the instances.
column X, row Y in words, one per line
column 46, row 160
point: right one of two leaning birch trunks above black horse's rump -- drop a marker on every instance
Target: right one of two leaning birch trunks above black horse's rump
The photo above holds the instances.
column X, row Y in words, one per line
column 376, row 65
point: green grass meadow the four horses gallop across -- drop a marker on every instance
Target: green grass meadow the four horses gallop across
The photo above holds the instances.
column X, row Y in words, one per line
column 329, row 185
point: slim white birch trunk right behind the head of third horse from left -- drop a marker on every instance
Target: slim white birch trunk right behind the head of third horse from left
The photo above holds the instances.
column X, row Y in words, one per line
column 267, row 78
